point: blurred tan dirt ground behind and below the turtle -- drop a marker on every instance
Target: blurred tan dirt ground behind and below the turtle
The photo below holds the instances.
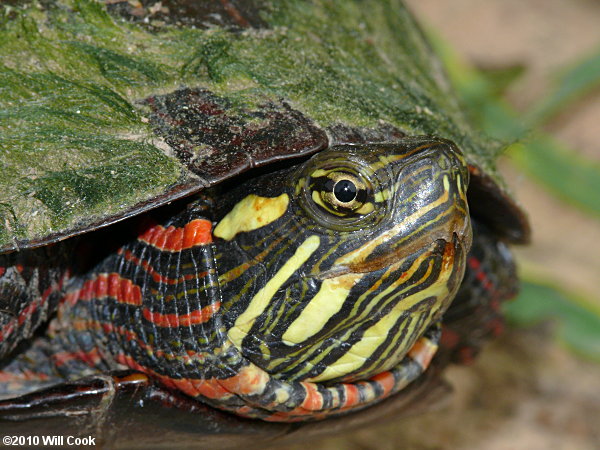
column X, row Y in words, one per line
column 526, row 391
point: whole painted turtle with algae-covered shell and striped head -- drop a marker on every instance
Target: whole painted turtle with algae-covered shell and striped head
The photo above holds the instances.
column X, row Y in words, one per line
column 327, row 230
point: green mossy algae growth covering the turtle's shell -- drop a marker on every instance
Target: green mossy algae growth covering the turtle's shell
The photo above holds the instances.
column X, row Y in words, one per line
column 74, row 140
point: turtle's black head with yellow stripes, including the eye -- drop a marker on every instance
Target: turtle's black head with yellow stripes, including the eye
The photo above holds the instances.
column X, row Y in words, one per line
column 335, row 268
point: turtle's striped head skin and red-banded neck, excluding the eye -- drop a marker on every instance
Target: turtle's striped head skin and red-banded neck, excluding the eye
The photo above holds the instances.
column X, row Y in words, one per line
column 289, row 309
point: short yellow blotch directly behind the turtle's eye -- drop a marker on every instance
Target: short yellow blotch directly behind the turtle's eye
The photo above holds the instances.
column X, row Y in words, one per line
column 251, row 213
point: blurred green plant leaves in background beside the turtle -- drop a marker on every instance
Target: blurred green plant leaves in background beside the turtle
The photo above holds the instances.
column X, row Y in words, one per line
column 561, row 170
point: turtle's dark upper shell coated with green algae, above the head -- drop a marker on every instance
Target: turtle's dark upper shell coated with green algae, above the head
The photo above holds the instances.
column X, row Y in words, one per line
column 109, row 110
